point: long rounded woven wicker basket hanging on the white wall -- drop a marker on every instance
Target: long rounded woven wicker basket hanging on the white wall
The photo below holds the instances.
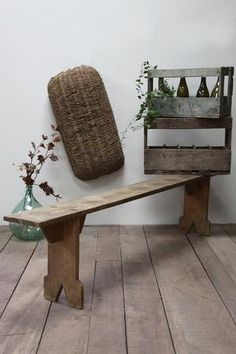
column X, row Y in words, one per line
column 86, row 122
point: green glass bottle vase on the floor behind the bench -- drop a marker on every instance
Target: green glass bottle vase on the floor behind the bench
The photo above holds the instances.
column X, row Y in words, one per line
column 26, row 232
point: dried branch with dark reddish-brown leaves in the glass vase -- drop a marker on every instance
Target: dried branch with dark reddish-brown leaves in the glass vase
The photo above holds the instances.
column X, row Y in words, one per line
column 38, row 155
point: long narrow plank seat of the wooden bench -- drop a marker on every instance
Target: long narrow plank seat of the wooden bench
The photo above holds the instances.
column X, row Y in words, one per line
column 66, row 210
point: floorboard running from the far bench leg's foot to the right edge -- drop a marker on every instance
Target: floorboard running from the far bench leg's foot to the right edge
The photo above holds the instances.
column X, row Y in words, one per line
column 220, row 277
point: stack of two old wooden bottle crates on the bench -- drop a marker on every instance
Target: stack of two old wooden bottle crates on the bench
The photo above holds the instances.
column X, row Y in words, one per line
column 191, row 113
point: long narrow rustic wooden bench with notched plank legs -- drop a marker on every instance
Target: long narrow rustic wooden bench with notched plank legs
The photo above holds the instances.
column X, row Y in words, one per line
column 63, row 222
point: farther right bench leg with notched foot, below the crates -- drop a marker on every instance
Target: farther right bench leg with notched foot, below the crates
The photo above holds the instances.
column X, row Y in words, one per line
column 196, row 201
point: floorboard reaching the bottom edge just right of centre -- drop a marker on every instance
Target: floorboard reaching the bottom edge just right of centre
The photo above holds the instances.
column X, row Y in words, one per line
column 146, row 324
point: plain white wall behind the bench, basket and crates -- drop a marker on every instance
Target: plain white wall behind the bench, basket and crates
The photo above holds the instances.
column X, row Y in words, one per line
column 39, row 39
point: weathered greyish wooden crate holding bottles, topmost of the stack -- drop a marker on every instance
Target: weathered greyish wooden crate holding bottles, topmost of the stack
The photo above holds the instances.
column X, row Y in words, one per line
column 207, row 107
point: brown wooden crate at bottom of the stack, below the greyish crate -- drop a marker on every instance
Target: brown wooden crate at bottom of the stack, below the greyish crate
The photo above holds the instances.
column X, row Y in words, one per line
column 196, row 160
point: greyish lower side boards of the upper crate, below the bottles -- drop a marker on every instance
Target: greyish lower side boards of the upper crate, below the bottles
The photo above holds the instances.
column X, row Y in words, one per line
column 199, row 107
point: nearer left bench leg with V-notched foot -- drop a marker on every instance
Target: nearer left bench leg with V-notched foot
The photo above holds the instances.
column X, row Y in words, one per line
column 63, row 262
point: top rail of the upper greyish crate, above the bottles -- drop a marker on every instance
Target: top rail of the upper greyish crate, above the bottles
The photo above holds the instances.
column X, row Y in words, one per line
column 191, row 72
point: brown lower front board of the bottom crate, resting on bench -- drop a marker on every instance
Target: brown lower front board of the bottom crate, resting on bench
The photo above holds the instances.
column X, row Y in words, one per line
column 186, row 159
